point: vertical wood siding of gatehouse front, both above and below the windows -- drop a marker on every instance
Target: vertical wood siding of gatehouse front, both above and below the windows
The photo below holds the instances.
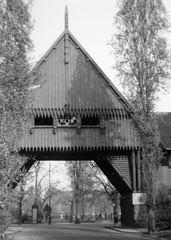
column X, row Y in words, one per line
column 89, row 93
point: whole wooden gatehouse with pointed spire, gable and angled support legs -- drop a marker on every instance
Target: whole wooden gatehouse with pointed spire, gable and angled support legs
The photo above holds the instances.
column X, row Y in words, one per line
column 78, row 114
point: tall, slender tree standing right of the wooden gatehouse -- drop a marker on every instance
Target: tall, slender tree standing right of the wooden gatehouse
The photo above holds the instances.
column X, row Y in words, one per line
column 143, row 62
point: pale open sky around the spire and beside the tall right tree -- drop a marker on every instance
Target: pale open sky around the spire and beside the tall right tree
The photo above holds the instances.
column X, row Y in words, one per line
column 91, row 22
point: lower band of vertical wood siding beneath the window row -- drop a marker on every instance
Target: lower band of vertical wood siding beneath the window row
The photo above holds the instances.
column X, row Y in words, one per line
column 114, row 136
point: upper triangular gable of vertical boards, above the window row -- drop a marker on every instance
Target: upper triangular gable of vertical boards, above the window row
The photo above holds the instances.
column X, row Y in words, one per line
column 80, row 82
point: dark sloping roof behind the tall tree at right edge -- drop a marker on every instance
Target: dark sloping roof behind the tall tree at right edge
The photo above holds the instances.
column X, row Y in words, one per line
column 164, row 123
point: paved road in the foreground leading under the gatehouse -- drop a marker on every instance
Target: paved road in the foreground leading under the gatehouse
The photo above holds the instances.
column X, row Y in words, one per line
column 67, row 231
